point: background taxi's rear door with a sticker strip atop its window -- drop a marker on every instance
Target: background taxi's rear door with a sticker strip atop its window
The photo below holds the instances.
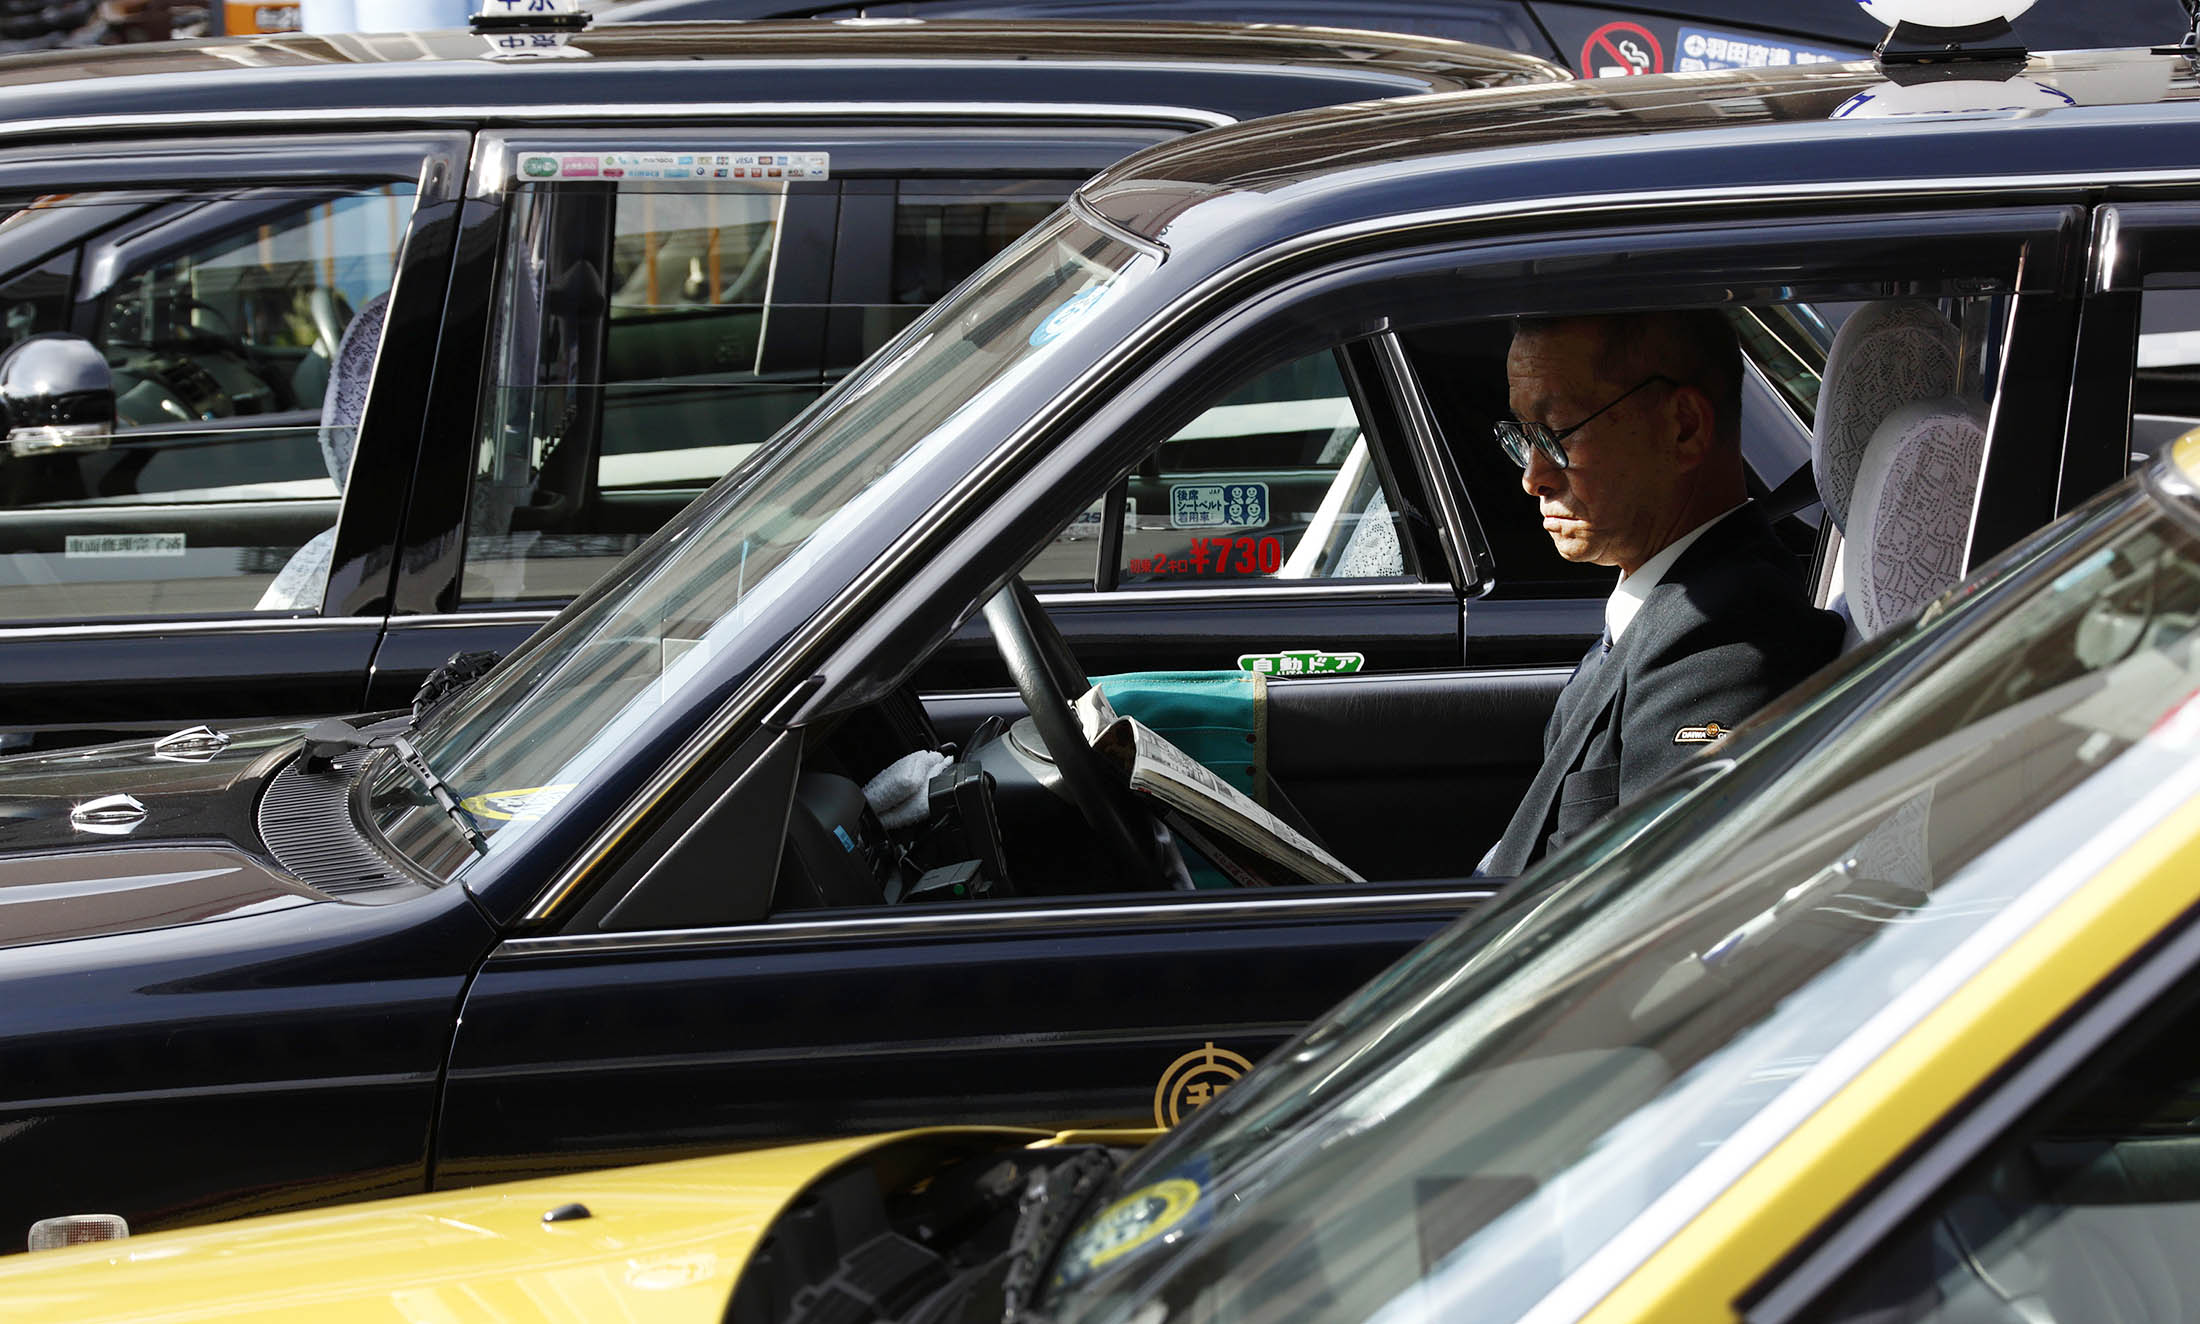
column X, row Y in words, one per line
column 648, row 333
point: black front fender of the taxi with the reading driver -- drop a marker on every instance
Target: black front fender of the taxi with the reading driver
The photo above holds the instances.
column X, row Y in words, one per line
column 298, row 1050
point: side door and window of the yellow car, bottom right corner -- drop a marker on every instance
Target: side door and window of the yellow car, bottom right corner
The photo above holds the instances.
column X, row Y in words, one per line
column 2065, row 1191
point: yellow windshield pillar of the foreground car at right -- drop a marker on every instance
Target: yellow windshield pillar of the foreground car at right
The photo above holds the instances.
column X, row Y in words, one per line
column 1897, row 1099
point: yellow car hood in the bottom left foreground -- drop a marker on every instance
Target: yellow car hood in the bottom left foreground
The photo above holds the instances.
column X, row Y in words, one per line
column 661, row 1244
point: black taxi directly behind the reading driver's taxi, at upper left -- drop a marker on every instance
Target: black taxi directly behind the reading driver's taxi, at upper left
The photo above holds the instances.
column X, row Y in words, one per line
column 386, row 393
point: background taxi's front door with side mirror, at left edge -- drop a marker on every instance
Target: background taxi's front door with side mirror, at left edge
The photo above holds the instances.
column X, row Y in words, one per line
column 221, row 555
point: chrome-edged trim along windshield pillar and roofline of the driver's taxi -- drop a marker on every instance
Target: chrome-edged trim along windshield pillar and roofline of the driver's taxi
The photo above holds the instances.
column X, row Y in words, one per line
column 1655, row 206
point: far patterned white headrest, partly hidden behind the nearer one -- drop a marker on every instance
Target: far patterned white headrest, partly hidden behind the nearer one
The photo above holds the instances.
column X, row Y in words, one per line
column 1884, row 357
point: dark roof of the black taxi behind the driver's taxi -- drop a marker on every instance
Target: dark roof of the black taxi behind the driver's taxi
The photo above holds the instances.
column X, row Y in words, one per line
column 1229, row 69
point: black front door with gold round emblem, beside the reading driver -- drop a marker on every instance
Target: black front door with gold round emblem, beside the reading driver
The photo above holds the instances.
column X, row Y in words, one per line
column 674, row 1002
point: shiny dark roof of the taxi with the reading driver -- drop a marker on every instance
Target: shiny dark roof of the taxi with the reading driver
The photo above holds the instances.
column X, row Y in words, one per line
column 1746, row 131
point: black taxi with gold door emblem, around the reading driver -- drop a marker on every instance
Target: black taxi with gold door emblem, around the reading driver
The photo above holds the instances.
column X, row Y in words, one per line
column 628, row 894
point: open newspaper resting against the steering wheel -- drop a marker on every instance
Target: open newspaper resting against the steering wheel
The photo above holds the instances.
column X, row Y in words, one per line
column 1215, row 808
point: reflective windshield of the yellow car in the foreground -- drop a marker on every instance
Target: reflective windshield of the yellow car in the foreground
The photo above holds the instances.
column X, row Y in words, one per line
column 1625, row 1030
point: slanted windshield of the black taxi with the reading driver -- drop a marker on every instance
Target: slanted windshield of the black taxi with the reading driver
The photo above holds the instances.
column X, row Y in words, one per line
column 692, row 610
